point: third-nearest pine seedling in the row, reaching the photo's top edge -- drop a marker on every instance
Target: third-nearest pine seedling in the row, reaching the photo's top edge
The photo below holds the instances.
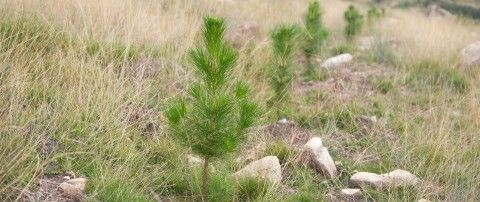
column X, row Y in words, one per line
column 315, row 36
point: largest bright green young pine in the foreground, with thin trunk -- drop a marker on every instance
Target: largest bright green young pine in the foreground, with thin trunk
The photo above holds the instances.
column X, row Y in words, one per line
column 214, row 121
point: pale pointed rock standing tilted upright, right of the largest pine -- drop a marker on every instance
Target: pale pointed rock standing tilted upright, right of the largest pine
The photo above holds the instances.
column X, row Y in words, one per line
column 319, row 158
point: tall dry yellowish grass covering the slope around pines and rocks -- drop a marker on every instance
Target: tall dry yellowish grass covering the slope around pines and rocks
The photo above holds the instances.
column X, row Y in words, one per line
column 87, row 113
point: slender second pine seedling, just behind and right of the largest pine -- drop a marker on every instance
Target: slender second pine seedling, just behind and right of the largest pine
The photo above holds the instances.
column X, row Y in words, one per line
column 281, row 72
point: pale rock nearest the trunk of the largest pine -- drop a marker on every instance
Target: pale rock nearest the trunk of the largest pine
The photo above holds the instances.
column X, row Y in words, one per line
column 266, row 168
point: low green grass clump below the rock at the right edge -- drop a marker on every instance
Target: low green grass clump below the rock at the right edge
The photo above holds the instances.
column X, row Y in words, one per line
column 431, row 75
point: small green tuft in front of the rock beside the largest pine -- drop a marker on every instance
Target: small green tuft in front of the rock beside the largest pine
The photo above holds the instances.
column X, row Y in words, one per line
column 250, row 189
